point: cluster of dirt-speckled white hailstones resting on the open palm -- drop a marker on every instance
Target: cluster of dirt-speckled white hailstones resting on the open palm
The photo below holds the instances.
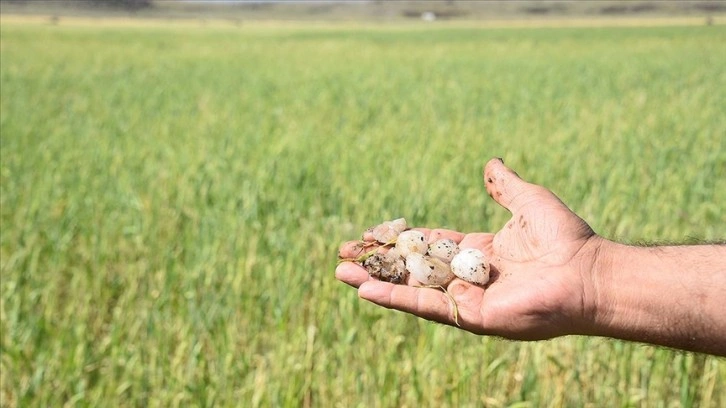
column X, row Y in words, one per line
column 434, row 264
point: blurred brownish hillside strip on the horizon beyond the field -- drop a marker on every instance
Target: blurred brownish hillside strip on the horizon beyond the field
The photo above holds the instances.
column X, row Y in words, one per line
column 366, row 10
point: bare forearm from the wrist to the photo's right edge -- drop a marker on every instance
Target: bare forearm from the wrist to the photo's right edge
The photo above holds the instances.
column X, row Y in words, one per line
column 673, row 296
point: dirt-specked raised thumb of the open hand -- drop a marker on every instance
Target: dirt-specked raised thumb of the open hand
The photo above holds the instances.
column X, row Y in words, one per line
column 507, row 188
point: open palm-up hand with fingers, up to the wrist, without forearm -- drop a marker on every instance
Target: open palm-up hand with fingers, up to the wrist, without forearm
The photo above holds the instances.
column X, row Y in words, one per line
column 541, row 280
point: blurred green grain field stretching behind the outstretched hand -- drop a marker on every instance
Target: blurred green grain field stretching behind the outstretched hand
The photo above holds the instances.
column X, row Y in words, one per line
column 173, row 194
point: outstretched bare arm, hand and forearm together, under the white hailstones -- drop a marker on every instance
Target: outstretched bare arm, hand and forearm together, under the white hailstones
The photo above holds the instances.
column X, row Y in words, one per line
column 552, row 276
